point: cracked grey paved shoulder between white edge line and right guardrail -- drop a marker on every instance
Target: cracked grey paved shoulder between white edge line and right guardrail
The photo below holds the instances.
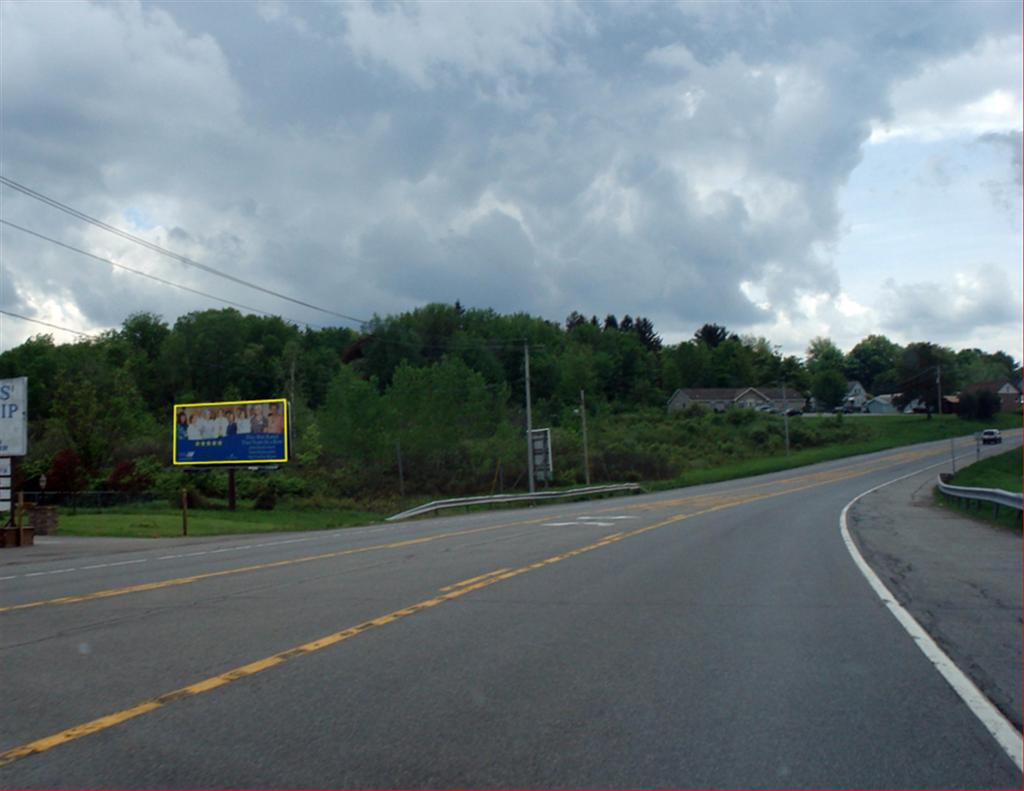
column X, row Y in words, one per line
column 962, row 579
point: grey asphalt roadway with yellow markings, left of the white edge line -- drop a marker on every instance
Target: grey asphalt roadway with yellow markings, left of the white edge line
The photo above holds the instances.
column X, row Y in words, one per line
column 714, row 637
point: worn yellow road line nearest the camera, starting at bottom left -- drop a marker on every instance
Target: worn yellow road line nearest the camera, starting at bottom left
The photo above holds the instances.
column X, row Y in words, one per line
column 447, row 595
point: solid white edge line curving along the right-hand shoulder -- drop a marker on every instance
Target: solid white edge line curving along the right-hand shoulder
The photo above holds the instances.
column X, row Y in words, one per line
column 994, row 721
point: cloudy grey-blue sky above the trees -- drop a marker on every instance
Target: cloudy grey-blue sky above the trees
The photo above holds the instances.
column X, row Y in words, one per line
column 788, row 170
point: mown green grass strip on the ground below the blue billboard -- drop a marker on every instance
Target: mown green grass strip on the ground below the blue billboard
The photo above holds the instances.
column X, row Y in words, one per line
column 166, row 523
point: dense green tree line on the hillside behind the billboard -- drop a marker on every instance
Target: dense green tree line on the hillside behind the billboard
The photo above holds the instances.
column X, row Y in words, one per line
column 441, row 387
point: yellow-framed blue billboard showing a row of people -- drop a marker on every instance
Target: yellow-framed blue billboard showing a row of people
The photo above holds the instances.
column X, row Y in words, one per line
column 232, row 433
